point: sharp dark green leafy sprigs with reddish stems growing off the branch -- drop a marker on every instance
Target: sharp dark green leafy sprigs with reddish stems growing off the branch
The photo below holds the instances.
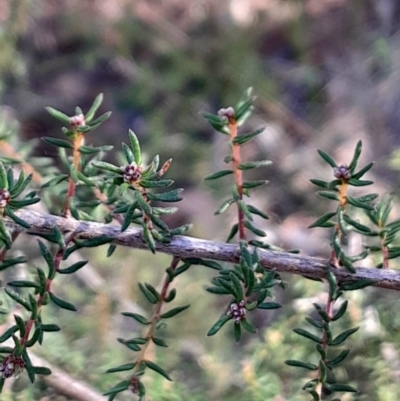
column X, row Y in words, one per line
column 134, row 194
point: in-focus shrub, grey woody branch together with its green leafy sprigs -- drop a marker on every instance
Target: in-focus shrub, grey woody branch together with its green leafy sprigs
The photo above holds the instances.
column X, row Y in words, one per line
column 247, row 268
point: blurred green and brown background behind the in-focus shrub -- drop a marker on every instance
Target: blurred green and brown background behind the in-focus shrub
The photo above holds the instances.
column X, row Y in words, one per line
column 325, row 72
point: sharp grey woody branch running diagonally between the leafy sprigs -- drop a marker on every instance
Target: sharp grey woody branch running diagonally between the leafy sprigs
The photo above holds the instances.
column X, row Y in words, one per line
column 188, row 247
